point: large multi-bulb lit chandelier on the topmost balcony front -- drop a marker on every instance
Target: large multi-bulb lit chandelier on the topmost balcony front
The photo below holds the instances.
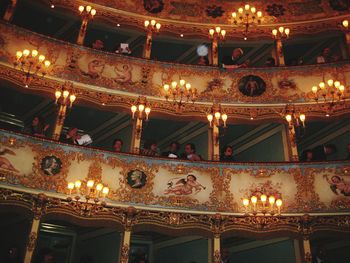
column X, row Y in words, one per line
column 247, row 16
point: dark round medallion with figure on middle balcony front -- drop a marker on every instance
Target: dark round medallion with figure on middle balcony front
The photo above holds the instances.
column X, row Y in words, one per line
column 252, row 86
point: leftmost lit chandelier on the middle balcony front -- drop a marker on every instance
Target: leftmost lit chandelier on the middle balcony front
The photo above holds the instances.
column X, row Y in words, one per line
column 32, row 63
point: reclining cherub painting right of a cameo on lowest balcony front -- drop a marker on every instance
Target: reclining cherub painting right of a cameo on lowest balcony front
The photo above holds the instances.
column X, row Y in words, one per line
column 184, row 186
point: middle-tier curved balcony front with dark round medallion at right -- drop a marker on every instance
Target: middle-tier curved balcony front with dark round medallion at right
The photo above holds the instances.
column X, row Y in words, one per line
column 110, row 79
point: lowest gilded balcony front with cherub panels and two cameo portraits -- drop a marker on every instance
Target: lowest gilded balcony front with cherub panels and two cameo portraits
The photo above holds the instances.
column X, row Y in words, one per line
column 37, row 165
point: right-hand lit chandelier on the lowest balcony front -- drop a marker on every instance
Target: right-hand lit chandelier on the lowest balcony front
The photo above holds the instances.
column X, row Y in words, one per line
column 262, row 205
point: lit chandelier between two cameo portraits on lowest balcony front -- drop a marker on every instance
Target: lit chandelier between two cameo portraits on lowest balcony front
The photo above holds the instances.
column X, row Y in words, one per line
column 89, row 198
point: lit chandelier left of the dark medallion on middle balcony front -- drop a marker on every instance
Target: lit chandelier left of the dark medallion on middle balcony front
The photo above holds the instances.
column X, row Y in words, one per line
column 180, row 92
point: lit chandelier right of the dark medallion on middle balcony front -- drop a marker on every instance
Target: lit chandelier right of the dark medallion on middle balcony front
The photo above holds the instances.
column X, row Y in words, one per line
column 328, row 91
